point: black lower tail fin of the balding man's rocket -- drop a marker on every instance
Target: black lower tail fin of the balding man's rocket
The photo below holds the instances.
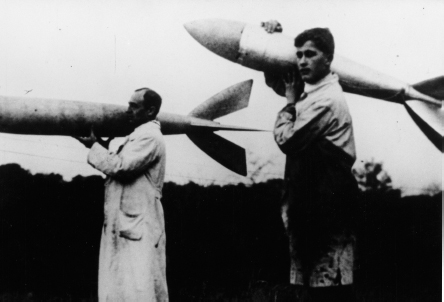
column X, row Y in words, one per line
column 228, row 154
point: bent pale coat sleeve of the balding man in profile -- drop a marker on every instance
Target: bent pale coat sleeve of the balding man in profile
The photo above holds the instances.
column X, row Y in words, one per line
column 133, row 160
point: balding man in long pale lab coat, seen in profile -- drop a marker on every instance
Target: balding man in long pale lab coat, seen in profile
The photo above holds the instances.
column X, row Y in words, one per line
column 132, row 249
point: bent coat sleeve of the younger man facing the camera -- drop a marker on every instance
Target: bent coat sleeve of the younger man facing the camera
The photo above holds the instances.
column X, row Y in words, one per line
column 293, row 133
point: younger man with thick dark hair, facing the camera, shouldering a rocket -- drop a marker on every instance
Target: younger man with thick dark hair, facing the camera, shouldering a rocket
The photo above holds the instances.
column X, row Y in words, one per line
column 315, row 131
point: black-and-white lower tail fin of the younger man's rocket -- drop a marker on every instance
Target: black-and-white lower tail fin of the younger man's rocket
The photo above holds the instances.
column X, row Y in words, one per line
column 429, row 118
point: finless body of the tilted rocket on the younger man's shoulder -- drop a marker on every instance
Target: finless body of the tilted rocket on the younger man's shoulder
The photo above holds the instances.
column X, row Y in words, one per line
column 251, row 46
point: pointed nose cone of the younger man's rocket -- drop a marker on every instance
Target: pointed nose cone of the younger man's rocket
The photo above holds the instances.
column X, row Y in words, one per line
column 220, row 36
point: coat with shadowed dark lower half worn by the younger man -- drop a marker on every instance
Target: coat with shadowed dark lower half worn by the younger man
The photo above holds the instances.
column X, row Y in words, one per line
column 320, row 197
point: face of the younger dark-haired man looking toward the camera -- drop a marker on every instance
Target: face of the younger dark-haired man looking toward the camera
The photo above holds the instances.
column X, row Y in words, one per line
column 313, row 64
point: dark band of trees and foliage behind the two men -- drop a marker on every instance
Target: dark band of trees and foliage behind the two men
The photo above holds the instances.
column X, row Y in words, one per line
column 223, row 243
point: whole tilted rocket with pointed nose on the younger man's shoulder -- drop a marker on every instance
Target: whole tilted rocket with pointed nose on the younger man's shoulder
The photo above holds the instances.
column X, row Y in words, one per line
column 252, row 47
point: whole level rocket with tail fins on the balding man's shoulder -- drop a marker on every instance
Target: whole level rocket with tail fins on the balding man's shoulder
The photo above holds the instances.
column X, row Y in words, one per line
column 21, row 115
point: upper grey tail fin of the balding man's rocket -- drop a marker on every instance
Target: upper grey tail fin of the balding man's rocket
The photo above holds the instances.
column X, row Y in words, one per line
column 227, row 101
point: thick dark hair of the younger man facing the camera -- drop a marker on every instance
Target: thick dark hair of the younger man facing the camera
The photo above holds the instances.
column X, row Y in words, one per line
column 321, row 37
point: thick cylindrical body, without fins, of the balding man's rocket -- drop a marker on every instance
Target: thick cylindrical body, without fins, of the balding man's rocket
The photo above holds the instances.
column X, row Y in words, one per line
column 74, row 118
